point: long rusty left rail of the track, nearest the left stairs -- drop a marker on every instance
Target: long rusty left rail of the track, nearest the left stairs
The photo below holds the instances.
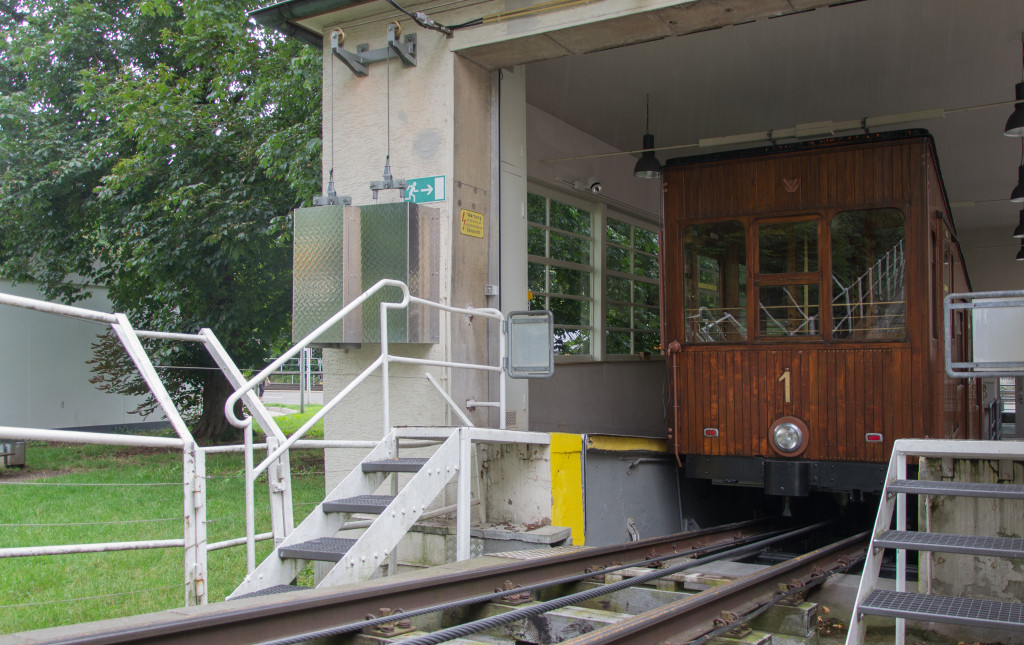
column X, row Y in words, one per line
column 285, row 616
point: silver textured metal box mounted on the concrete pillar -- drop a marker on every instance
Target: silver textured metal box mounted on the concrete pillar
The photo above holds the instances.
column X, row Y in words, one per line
column 343, row 251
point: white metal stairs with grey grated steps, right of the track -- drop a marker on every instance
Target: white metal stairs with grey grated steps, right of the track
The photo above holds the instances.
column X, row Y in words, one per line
column 903, row 605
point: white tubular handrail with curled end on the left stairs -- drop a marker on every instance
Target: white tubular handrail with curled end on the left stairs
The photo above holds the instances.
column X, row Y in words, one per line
column 382, row 363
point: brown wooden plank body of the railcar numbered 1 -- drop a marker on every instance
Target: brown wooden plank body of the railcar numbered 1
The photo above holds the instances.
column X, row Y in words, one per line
column 842, row 391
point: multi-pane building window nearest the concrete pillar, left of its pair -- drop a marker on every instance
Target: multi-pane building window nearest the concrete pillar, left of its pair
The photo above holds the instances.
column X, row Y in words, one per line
column 559, row 247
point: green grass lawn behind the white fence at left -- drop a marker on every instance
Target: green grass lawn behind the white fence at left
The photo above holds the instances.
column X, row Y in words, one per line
column 47, row 591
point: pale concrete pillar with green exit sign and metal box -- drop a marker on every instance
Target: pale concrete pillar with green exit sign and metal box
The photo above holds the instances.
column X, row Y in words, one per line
column 436, row 119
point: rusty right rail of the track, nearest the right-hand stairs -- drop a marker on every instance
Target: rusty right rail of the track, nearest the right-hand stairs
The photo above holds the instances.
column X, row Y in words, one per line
column 687, row 620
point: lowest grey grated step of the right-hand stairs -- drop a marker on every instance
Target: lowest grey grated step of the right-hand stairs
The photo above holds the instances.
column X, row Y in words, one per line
column 971, row 612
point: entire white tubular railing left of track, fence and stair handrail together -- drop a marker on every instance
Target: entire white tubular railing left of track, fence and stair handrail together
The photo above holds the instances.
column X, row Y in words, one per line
column 194, row 542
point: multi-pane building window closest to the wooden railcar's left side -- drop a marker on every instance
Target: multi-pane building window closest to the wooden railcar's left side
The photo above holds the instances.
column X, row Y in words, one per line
column 632, row 320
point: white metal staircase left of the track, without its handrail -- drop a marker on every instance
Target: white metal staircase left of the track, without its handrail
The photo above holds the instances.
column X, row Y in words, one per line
column 360, row 560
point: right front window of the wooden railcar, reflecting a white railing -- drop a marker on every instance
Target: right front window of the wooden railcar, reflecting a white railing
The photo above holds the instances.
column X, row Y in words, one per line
column 869, row 276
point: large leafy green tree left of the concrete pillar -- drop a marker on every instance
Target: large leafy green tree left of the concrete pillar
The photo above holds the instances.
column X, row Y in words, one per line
column 157, row 148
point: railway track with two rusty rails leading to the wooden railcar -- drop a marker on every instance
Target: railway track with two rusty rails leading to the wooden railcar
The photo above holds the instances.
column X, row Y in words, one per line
column 581, row 596
